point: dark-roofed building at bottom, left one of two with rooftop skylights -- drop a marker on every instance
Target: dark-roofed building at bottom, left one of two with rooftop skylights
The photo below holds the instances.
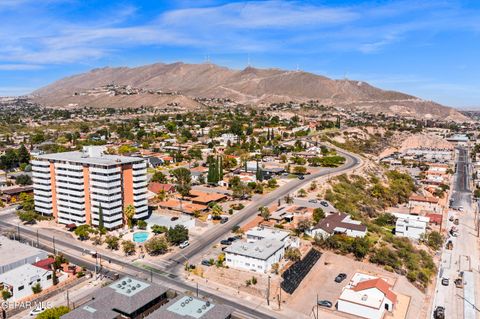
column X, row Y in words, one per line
column 126, row 298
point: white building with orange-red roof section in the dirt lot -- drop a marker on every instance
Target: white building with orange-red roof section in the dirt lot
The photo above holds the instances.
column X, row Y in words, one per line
column 367, row 297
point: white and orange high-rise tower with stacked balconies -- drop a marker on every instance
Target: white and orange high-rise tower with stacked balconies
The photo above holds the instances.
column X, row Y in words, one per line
column 73, row 186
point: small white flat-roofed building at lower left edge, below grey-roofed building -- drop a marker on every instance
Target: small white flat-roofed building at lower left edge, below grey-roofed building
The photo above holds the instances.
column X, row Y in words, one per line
column 19, row 281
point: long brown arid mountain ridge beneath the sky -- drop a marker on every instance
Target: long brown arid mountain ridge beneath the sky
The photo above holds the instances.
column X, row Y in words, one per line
column 178, row 83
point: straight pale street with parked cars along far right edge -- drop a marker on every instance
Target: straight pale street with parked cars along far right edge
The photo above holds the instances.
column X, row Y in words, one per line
column 465, row 253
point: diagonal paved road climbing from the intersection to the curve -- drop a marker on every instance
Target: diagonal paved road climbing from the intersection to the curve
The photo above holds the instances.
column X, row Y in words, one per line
column 251, row 210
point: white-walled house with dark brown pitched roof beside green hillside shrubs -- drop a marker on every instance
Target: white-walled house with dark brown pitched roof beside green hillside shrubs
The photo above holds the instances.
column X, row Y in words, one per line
column 338, row 223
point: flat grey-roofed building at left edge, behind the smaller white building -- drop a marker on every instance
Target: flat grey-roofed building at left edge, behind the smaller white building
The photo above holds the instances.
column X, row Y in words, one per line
column 15, row 254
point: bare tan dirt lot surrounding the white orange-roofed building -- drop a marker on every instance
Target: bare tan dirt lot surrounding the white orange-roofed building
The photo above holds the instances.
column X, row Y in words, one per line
column 320, row 281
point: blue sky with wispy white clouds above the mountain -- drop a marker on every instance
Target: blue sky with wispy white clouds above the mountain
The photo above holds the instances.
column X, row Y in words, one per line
column 426, row 48
